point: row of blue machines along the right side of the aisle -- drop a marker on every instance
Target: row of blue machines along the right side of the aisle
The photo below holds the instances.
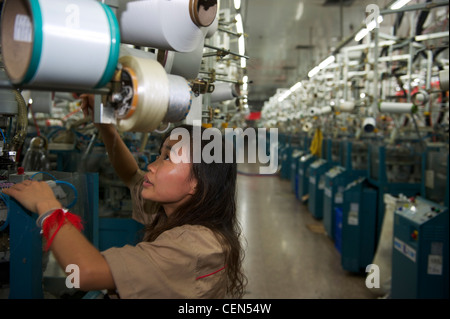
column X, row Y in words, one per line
column 346, row 188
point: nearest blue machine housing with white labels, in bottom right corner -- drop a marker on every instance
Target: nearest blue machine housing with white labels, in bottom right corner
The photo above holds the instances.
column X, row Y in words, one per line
column 420, row 263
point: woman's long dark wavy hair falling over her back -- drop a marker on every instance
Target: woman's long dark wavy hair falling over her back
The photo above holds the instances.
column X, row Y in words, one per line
column 213, row 205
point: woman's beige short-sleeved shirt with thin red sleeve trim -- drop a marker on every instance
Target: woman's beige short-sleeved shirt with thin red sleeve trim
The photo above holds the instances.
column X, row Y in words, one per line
column 183, row 262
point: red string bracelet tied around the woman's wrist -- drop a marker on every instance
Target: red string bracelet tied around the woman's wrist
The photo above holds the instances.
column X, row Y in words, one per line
column 59, row 217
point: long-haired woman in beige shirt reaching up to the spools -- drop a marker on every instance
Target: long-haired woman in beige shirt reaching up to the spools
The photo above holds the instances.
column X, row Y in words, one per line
column 191, row 247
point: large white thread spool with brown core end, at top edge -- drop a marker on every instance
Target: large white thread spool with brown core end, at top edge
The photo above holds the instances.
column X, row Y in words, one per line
column 169, row 25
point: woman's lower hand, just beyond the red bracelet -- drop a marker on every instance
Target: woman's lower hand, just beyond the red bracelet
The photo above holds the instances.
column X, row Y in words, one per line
column 35, row 196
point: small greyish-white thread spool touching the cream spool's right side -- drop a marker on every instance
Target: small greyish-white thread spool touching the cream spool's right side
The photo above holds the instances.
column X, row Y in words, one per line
column 180, row 99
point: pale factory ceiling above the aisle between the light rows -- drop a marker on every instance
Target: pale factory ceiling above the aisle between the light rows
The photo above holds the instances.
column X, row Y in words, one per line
column 287, row 38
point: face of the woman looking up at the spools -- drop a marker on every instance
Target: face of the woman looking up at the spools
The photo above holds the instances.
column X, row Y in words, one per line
column 168, row 181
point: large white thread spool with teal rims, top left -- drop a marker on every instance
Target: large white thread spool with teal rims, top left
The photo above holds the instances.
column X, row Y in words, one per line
column 59, row 43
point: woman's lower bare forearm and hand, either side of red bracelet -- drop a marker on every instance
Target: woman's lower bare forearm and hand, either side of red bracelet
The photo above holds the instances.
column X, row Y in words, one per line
column 69, row 245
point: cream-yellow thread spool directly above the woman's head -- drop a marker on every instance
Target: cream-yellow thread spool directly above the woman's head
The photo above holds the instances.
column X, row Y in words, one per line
column 150, row 95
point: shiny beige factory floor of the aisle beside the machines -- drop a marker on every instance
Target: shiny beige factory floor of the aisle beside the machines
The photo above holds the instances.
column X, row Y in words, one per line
column 288, row 255
